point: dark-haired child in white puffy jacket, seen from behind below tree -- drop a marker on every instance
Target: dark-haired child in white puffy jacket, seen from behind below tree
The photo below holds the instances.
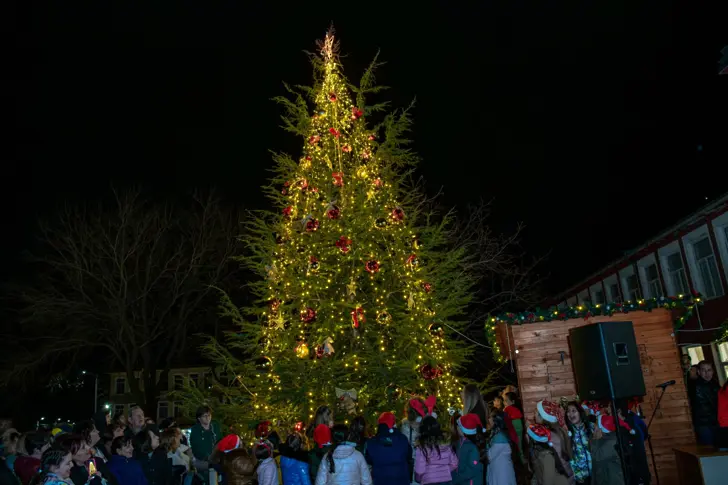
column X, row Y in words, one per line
column 343, row 464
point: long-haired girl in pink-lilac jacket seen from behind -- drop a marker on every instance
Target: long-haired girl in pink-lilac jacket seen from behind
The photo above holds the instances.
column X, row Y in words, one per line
column 434, row 458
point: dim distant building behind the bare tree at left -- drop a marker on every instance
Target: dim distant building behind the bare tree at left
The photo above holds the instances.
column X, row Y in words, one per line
column 123, row 400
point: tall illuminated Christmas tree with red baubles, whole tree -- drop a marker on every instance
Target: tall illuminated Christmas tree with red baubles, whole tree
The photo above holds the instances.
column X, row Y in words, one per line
column 360, row 289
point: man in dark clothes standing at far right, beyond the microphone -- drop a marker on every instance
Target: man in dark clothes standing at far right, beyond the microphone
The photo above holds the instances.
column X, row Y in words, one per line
column 704, row 399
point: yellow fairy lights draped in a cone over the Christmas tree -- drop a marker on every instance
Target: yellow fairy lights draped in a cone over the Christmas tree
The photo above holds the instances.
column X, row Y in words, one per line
column 346, row 268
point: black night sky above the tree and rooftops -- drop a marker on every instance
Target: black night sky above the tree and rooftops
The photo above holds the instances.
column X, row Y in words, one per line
column 596, row 126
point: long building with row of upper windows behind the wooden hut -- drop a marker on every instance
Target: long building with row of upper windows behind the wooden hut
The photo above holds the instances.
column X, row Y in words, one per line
column 691, row 255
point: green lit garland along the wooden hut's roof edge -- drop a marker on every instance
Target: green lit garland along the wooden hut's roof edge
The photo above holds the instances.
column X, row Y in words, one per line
column 587, row 310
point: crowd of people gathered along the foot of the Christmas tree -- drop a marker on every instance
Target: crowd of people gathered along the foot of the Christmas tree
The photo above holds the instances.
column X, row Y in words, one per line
column 480, row 444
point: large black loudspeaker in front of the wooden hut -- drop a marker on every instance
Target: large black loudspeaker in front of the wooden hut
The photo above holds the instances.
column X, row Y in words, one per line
column 605, row 355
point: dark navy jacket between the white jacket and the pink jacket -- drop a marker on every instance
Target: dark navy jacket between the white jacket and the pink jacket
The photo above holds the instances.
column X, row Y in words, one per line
column 390, row 455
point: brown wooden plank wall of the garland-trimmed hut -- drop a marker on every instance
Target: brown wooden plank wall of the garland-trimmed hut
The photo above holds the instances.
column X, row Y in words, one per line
column 542, row 375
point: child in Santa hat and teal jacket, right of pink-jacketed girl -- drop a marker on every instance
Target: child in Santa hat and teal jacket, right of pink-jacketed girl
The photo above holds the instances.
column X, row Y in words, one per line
column 470, row 451
